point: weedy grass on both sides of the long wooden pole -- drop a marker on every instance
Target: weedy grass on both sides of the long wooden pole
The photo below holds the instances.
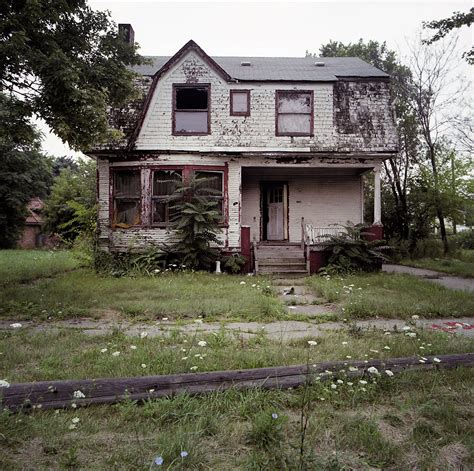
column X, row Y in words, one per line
column 386, row 423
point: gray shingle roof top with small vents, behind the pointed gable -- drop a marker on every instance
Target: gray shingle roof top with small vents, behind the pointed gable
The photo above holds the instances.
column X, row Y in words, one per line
column 283, row 68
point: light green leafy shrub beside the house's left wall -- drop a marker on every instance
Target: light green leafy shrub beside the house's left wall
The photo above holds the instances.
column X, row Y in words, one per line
column 70, row 209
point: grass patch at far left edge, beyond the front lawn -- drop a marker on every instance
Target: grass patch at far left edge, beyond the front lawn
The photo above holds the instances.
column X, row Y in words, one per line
column 20, row 266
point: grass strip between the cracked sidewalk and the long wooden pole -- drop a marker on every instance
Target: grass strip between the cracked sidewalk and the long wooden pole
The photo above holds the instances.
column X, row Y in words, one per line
column 71, row 354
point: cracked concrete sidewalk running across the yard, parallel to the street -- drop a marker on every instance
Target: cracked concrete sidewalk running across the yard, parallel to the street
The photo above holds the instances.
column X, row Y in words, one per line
column 278, row 330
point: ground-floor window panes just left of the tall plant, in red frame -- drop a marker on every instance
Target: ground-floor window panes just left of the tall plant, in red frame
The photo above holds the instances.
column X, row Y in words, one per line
column 164, row 185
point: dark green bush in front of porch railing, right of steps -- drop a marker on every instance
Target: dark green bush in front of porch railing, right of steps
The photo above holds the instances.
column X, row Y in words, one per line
column 350, row 252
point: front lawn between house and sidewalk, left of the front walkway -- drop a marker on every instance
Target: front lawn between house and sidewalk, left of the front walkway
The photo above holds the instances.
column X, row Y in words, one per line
column 174, row 295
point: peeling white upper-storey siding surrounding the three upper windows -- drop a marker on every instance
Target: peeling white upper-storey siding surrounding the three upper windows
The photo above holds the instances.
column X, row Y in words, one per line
column 257, row 131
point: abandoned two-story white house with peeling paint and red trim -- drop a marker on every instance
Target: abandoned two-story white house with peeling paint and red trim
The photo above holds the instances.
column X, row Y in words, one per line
column 287, row 141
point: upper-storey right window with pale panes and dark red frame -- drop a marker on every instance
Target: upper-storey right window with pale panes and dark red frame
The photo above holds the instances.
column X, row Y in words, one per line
column 294, row 113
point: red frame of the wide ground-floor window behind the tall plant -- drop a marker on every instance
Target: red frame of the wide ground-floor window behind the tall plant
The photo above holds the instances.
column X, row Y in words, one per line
column 186, row 172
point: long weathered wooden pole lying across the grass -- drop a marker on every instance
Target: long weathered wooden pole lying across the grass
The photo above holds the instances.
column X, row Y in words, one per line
column 63, row 394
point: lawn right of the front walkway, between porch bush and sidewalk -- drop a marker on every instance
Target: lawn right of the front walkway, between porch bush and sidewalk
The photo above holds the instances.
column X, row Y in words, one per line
column 392, row 296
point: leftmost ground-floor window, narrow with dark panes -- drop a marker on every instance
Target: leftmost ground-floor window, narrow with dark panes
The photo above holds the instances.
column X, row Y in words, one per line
column 126, row 193
